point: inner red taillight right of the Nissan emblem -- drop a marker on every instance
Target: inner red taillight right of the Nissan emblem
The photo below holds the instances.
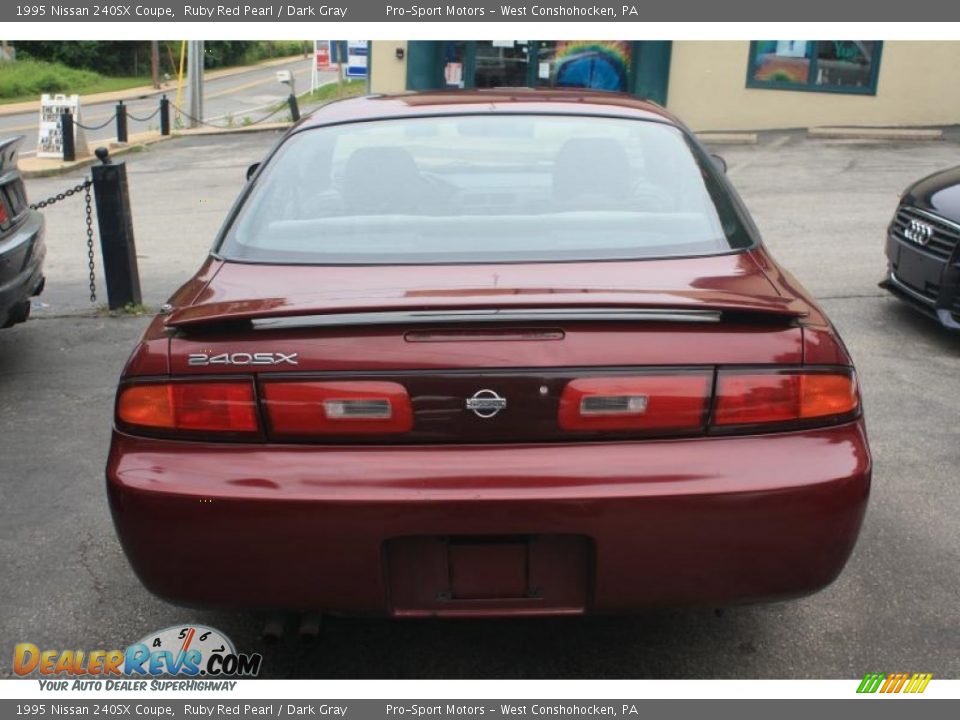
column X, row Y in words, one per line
column 641, row 402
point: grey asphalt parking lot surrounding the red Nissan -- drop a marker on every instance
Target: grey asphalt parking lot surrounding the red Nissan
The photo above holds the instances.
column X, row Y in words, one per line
column 822, row 207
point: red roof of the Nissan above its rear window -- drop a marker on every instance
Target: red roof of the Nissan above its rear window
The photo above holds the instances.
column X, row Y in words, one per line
column 496, row 100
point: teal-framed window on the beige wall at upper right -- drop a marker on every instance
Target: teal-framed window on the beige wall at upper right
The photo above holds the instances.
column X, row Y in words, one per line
column 845, row 66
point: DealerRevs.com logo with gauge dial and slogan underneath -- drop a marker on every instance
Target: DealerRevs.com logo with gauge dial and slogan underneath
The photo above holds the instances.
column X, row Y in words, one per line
column 182, row 651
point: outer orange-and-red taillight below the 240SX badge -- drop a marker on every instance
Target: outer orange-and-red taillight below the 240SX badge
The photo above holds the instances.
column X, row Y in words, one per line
column 227, row 406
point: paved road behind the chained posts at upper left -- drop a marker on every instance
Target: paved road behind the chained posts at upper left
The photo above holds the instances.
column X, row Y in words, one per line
column 233, row 98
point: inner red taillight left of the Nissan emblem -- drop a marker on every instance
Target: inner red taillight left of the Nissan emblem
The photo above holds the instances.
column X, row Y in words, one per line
column 306, row 408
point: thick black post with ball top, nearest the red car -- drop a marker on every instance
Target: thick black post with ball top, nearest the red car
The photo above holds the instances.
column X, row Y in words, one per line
column 116, row 232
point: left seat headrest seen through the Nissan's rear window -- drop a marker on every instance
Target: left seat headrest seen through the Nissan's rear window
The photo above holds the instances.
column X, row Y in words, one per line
column 381, row 180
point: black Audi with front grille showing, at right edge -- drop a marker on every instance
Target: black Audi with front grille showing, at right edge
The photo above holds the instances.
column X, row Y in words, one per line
column 923, row 248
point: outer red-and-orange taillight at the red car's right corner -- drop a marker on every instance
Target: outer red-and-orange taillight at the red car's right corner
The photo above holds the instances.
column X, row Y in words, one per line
column 752, row 398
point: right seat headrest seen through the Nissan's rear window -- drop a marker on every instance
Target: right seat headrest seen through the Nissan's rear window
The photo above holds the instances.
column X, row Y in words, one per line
column 590, row 168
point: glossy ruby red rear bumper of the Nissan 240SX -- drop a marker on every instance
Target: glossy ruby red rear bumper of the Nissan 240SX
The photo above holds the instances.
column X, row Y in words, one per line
column 595, row 527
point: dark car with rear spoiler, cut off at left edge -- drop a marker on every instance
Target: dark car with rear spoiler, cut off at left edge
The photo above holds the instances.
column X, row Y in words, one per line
column 21, row 241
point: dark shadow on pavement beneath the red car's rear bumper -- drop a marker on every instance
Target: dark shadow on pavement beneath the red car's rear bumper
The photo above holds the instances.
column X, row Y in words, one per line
column 656, row 644
